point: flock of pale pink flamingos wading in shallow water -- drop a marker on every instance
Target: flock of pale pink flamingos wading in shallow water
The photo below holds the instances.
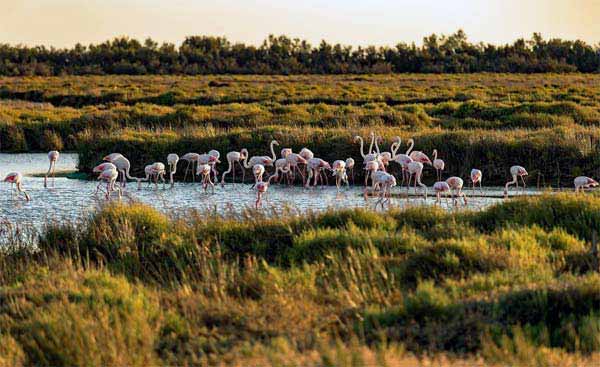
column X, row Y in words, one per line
column 291, row 166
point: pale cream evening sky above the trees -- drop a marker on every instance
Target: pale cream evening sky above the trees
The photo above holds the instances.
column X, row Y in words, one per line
column 63, row 23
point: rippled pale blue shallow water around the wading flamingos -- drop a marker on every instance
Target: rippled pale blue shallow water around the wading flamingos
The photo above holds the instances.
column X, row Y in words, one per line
column 69, row 199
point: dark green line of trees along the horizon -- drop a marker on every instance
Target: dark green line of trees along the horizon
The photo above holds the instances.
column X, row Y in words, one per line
column 284, row 55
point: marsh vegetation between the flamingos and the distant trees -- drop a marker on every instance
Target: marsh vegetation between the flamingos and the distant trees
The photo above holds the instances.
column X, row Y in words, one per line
column 547, row 123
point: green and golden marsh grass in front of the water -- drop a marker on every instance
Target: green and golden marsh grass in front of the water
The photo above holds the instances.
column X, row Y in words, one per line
column 516, row 284
